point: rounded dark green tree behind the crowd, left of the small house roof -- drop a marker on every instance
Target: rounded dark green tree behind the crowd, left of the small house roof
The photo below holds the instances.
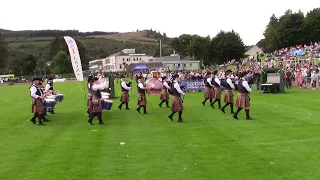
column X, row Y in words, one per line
column 226, row 46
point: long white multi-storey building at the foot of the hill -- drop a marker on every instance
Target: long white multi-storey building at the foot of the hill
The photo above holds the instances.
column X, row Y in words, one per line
column 117, row 62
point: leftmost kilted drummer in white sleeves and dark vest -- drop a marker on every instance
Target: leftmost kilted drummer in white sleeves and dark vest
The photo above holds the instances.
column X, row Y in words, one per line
column 37, row 102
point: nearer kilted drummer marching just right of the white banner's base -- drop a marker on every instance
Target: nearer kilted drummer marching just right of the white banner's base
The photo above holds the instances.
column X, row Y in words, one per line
column 95, row 108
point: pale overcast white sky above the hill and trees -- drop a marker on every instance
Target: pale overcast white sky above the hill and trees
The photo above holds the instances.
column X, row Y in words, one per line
column 203, row 17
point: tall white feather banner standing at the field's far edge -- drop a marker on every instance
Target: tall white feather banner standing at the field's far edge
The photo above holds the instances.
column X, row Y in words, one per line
column 75, row 57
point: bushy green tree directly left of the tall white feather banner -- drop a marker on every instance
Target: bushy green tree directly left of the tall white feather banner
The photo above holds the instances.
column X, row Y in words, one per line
column 61, row 63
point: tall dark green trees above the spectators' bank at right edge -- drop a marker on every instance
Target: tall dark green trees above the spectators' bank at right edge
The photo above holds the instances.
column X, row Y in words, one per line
column 291, row 29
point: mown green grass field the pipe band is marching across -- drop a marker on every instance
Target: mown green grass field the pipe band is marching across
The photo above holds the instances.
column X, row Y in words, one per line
column 281, row 143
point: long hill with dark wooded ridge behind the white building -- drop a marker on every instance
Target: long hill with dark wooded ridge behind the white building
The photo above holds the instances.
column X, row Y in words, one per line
column 97, row 44
